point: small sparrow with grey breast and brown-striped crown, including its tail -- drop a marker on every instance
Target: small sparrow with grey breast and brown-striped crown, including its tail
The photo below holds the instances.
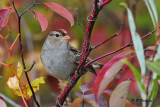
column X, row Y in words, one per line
column 59, row 58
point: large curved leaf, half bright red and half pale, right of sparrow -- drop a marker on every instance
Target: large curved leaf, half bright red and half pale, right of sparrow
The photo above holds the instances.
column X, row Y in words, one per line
column 108, row 72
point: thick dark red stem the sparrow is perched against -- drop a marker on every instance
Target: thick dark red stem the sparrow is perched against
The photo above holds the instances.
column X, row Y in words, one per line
column 85, row 53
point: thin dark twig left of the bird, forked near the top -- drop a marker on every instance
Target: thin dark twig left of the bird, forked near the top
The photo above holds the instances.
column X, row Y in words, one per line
column 21, row 47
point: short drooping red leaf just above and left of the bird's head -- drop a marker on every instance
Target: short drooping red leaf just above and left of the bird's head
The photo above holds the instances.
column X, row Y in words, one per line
column 41, row 19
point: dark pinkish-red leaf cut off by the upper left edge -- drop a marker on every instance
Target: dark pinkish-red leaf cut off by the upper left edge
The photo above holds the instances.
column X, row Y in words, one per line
column 4, row 14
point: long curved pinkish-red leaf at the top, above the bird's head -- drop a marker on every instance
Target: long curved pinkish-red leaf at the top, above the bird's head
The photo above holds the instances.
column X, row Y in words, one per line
column 61, row 11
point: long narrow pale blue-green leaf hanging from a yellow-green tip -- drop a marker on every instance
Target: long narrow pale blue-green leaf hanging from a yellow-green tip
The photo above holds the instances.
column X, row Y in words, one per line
column 136, row 40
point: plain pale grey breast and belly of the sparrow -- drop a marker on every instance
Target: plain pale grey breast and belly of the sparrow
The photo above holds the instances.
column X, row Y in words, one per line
column 58, row 63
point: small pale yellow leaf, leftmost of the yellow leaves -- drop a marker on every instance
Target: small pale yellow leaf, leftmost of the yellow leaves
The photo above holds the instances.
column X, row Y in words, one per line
column 13, row 83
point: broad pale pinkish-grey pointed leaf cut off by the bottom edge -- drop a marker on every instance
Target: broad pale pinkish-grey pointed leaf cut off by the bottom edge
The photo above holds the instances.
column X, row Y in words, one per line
column 119, row 95
